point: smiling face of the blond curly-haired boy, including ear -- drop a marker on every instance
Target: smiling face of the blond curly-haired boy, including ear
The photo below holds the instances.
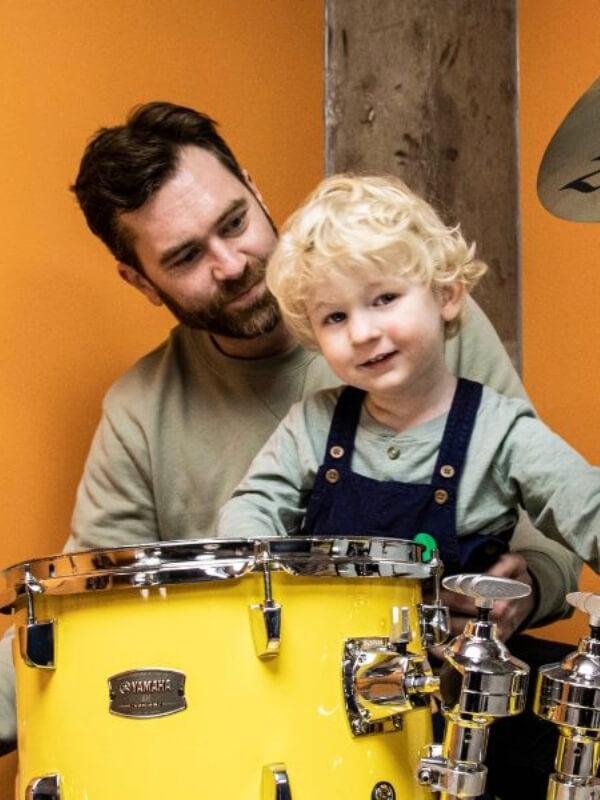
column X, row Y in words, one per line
column 385, row 335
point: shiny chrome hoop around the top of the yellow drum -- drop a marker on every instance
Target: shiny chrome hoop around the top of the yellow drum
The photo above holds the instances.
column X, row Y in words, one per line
column 195, row 560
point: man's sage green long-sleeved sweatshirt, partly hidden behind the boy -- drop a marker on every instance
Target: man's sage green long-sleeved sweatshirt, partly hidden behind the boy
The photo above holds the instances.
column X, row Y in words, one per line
column 180, row 428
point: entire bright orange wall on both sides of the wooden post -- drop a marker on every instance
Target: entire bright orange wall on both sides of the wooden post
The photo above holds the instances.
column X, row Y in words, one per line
column 71, row 327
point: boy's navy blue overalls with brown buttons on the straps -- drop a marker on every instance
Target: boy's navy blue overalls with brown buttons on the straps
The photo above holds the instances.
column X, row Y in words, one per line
column 344, row 503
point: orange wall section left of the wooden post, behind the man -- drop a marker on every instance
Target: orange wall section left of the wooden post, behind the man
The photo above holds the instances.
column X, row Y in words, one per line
column 70, row 325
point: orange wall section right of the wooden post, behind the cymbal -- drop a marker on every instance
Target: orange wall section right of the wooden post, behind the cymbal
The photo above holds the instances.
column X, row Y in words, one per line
column 559, row 46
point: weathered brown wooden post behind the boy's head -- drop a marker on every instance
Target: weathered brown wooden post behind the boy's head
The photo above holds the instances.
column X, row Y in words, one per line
column 427, row 90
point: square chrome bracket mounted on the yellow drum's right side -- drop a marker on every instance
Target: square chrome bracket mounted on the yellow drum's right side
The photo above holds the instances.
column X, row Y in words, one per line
column 382, row 680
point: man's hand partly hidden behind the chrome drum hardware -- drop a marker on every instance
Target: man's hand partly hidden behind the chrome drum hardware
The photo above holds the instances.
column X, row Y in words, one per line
column 508, row 614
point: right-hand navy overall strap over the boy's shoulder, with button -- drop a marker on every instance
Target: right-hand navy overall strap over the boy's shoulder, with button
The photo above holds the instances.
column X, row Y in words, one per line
column 457, row 433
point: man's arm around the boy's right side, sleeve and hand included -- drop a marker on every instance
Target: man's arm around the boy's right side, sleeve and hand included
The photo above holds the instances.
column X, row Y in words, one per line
column 477, row 353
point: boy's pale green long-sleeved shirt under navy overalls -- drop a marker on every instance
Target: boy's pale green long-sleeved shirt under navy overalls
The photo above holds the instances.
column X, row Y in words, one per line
column 513, row 461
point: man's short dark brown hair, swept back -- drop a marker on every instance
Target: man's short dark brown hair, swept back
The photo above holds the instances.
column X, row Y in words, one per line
column 123, row 166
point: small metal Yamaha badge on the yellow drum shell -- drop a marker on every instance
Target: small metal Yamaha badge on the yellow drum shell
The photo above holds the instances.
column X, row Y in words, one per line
column 144, row 693
